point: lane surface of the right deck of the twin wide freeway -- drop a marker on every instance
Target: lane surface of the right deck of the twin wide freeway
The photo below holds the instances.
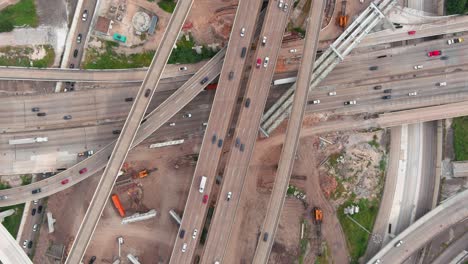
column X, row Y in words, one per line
column 257, row 90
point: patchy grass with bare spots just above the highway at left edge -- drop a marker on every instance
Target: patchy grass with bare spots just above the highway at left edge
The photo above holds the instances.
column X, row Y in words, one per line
column 20, row 56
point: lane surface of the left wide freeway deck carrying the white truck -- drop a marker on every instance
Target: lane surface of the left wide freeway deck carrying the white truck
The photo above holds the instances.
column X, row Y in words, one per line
column 218, row 124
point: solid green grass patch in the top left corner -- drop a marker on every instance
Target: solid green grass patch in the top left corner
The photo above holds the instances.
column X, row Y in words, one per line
column 21, row 14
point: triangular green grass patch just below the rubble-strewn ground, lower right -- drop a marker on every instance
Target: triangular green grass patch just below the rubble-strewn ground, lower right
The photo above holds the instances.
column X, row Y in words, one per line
column 356, row 237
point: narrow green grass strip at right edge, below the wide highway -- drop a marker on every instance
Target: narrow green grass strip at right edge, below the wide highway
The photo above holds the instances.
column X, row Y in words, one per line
column 460, row 137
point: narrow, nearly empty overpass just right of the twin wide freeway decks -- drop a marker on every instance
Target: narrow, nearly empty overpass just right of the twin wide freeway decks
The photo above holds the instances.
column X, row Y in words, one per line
column 288, row 152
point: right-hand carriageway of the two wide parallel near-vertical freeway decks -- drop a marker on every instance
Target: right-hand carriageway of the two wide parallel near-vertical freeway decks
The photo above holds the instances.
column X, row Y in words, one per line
column 246, row 132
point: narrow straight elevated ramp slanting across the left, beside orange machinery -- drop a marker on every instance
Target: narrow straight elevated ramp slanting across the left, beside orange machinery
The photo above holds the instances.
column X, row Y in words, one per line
column 129, row 131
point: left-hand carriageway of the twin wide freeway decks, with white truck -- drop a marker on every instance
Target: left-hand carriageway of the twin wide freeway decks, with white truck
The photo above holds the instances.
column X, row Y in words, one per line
column 219, row 122
